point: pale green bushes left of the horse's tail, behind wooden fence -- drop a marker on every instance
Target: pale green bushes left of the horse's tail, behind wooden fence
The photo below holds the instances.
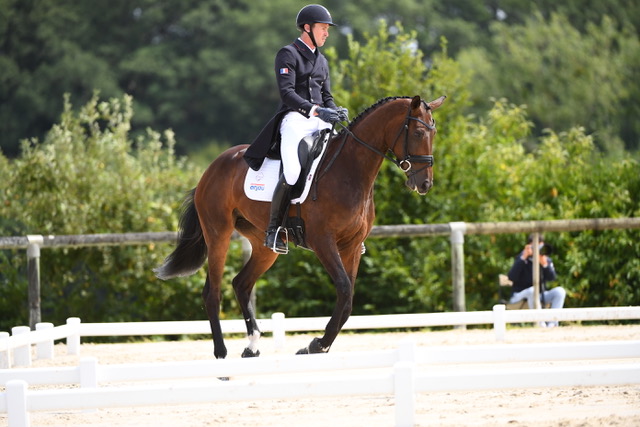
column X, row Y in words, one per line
column 88, row 177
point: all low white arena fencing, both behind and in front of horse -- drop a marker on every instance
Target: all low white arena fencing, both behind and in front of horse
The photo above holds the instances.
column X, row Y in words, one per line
column 401, row 373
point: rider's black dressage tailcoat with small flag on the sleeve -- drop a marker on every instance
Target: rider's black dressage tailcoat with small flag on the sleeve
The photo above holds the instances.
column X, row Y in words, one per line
column 303, row 81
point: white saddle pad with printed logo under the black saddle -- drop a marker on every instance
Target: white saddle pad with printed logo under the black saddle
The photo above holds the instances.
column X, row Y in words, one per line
column 259, row 185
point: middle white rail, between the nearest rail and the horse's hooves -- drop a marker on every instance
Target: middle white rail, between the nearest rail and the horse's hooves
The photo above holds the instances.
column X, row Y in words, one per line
column 90, row 374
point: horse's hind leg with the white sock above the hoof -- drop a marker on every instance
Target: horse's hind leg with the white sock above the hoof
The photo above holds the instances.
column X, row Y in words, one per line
column 260, row 261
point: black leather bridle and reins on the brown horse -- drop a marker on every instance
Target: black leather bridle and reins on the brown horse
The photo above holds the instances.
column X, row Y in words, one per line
column 407, row 159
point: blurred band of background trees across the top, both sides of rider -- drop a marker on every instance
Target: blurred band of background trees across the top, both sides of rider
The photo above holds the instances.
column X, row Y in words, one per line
column 205, row 68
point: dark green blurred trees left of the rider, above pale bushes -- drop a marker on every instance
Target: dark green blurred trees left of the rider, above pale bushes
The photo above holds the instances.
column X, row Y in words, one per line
column 199, row 68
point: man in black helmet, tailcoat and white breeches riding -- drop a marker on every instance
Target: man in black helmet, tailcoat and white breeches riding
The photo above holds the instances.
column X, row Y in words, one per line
column 306, row 106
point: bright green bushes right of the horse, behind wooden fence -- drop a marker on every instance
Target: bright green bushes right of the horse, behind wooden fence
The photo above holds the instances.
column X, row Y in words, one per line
column 483, row 174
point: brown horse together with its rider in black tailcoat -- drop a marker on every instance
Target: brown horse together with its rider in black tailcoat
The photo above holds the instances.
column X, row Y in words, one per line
column 399, row 129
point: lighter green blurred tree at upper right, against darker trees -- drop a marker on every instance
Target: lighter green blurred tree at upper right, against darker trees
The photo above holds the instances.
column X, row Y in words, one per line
column 566, row 77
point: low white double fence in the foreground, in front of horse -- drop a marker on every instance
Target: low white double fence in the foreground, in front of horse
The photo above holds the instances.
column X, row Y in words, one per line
column 325, row 375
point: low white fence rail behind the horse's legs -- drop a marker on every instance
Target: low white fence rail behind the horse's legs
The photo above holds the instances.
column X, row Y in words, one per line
column 15, row 349
